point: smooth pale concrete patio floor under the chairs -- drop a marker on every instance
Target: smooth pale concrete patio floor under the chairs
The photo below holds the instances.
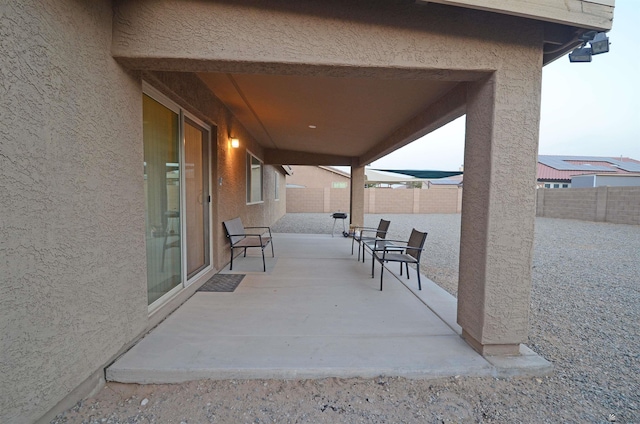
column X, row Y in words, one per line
column 315, row 313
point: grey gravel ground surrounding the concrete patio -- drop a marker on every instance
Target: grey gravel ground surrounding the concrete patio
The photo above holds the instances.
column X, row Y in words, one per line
column 585, row 309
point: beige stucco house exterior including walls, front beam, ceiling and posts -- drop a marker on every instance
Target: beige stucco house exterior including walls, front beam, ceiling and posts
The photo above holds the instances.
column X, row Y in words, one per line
column 73, row 284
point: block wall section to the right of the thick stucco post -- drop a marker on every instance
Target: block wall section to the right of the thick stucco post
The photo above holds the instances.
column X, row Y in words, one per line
column 618, row 205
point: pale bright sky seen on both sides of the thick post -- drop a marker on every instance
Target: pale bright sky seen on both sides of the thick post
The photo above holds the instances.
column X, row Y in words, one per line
column 588, row 109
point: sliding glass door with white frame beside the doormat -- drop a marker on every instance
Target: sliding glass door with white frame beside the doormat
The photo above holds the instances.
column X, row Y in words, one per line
column 177, row 196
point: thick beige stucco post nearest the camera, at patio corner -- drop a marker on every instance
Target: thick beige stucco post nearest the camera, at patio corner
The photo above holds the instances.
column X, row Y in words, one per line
column 498, row 210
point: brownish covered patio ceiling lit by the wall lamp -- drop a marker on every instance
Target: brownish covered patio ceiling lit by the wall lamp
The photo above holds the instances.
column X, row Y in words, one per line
column 309, row 119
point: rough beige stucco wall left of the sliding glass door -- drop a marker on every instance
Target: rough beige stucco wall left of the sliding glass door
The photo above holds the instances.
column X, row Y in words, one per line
column 73, row 283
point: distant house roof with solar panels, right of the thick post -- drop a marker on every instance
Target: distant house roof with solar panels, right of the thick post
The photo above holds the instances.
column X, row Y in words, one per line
column 562, row 168
